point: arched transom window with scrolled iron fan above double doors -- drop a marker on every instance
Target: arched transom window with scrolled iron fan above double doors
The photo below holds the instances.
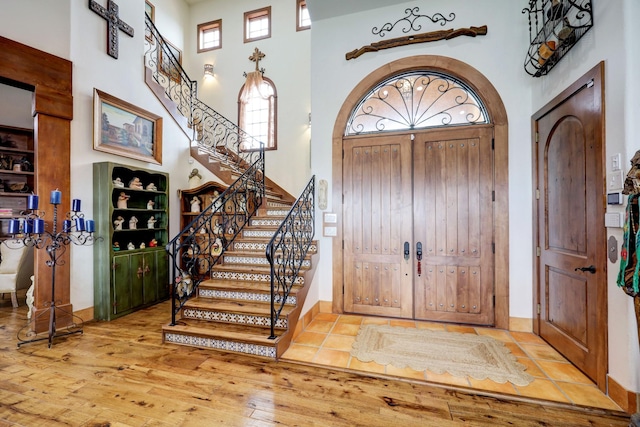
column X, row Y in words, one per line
column 416, row 100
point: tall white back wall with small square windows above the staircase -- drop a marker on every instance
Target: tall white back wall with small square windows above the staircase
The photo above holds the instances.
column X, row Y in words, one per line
column 287, row 64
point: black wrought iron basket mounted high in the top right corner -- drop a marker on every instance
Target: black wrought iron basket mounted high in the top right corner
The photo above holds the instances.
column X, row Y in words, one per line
column 555, row 26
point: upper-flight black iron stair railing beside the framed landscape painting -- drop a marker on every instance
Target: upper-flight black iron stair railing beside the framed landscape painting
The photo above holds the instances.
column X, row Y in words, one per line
column 214, row 134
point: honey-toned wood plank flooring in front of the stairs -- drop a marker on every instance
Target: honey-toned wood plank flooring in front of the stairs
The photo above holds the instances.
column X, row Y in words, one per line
column 119, row 373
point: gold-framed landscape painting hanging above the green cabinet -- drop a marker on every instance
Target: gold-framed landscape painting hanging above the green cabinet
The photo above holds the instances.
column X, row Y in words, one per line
column 125, row 130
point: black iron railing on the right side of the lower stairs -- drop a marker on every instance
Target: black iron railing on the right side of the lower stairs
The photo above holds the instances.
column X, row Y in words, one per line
column 288, row 249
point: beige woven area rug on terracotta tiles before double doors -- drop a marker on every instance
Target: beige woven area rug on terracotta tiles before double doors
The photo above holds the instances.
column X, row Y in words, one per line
column 476, row 356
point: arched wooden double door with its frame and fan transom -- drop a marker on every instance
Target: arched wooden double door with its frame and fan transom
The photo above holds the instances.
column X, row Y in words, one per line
column 421, row 218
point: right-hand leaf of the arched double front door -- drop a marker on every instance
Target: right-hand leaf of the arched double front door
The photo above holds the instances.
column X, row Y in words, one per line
column 453, row 217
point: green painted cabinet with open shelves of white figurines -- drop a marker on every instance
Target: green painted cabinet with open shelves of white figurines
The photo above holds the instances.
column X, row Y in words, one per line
column 131, row 210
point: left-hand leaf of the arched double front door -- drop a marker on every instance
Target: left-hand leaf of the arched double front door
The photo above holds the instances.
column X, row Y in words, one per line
column 377, row 222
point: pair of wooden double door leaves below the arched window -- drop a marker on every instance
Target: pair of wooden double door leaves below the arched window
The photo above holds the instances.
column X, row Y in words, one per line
column 433, row 188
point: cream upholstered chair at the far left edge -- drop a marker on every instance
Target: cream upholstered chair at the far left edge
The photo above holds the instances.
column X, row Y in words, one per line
column 16, row 268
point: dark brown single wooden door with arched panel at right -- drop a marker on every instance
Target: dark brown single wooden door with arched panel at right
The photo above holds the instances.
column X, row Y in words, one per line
column 571, row 268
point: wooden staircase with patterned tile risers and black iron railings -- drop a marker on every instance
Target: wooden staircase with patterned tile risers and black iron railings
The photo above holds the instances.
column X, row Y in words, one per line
column 243, row 302
